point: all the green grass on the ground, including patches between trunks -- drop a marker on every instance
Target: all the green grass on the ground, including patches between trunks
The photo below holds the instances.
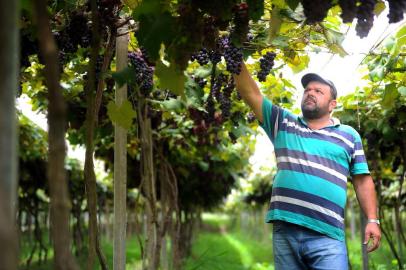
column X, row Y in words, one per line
column 219, row 246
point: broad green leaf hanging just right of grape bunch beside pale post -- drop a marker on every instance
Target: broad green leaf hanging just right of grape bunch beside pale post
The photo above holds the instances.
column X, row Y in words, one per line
column 170, row 78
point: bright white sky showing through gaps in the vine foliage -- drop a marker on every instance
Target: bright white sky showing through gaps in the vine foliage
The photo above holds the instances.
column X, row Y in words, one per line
column 341, row 70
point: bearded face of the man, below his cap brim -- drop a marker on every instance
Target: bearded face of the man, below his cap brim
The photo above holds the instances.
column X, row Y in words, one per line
column 317, row 100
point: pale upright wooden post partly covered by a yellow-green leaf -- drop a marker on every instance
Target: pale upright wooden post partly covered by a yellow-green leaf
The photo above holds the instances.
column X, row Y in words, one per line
column 120, row 161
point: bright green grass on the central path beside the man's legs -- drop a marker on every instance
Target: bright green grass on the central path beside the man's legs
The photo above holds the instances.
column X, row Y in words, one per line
column 228, row 249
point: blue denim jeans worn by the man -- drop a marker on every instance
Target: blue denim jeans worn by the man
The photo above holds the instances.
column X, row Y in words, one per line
column 296, row 247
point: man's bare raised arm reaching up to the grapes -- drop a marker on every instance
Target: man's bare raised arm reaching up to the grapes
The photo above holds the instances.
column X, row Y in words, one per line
column 249, row 91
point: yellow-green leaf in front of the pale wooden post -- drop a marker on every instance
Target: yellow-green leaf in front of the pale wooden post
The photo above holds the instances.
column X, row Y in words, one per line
column 121, row 115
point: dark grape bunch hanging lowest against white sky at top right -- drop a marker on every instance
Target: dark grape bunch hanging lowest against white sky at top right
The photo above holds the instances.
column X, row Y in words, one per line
column 365, row 16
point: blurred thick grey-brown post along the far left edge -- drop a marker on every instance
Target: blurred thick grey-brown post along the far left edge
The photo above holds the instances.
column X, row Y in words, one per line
column 9, row 16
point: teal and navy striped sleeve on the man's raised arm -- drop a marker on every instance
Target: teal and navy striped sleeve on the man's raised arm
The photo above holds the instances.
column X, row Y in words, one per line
column 271, row 115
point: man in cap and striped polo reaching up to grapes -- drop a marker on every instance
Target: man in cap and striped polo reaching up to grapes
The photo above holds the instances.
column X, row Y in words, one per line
column 315, row 154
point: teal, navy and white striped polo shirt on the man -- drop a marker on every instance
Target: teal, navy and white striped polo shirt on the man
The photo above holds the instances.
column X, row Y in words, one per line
column 310, row 186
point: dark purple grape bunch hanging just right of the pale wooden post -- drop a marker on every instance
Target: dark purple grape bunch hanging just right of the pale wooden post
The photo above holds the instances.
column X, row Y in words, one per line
column 143, row 72
